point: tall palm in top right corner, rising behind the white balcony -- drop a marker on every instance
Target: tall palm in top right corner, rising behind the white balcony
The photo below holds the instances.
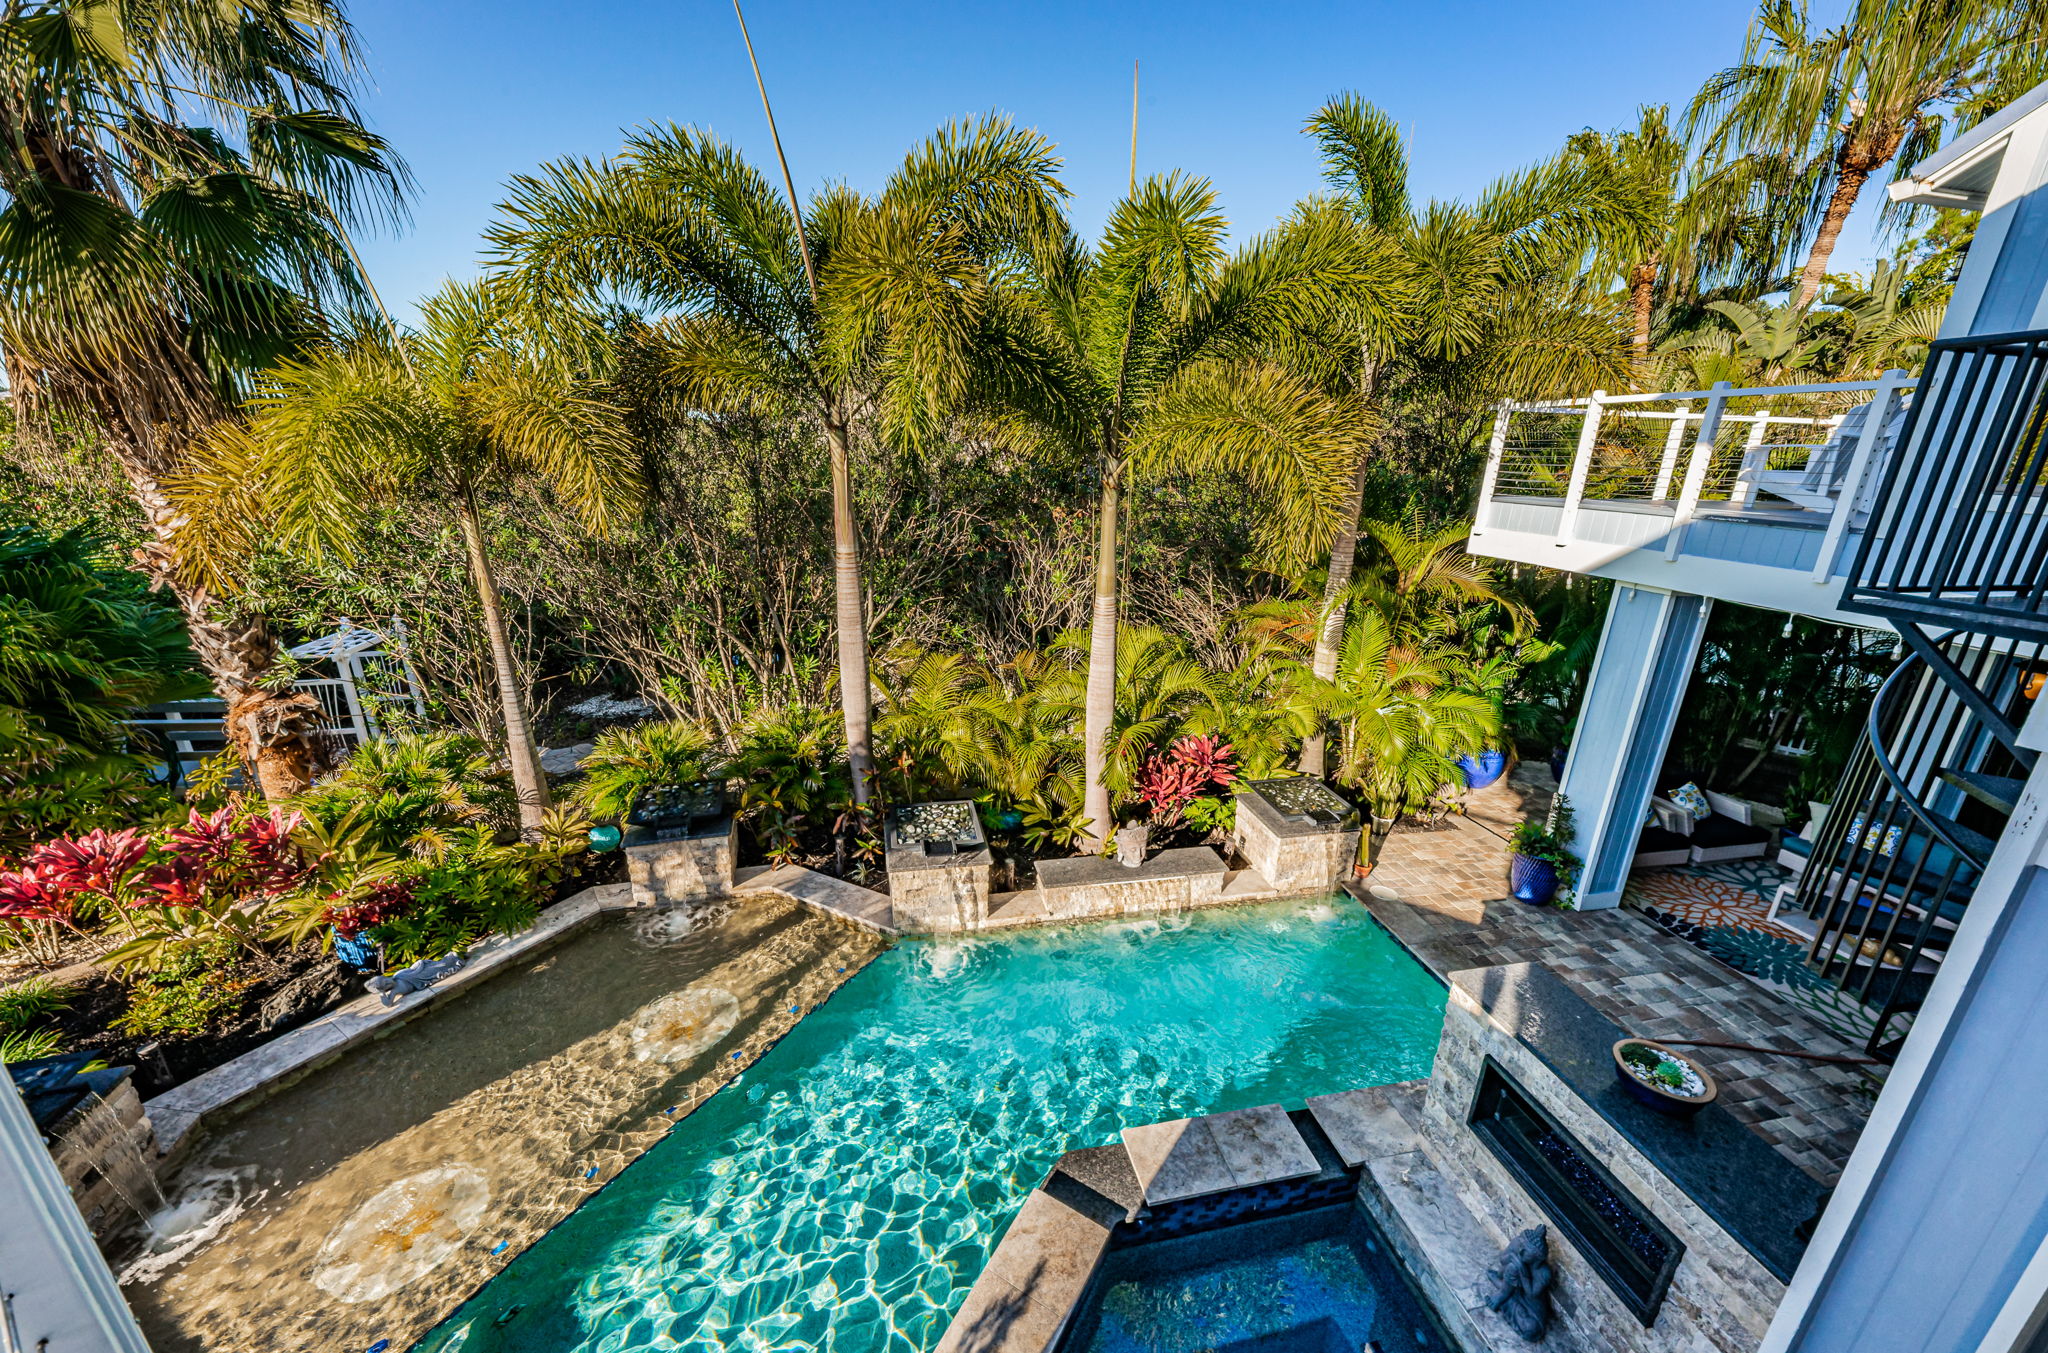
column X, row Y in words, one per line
column 1854, row 99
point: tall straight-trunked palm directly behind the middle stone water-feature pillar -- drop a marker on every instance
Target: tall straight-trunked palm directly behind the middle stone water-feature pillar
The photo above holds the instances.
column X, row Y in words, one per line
column 853, row 316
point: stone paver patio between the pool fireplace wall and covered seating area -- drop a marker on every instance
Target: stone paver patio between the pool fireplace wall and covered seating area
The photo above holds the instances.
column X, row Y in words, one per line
column 1443, row 893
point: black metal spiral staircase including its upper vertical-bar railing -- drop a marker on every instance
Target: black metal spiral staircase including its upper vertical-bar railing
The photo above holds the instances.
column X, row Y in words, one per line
column 1955, row 556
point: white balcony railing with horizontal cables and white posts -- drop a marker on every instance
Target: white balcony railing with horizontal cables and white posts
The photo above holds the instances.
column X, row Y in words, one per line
column 1797, row 455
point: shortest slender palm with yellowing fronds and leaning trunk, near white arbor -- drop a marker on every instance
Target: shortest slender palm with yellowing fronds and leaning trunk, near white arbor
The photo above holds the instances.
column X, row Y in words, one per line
column 470, row 402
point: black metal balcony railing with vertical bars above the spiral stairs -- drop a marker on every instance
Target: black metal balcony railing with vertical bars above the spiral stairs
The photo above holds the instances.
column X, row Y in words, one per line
column 1959, row 531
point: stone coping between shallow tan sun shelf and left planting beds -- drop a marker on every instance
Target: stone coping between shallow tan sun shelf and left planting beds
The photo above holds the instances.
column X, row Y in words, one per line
column 181, row 1112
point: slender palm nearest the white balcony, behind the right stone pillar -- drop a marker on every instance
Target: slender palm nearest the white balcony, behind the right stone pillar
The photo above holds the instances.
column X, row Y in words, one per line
column 1467, row 292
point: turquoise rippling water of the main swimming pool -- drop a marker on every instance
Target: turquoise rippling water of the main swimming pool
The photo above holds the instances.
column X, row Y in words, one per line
column 847, row 1190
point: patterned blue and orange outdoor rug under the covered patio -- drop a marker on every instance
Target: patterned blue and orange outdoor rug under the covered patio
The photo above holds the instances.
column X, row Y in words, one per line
column 1721, row 912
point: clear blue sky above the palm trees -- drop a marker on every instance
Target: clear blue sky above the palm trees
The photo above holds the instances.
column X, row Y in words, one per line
column 476, row 91
